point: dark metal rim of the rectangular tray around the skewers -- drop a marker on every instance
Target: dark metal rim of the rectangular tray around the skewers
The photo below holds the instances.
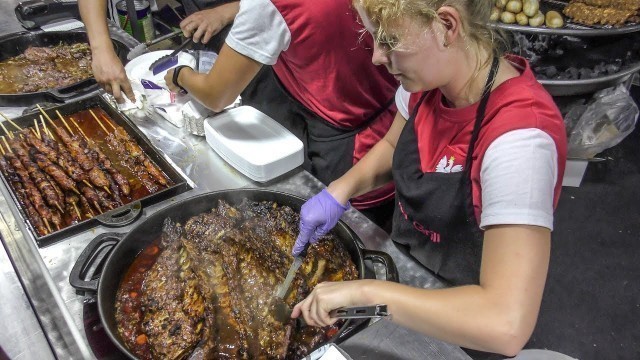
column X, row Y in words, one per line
column 126, row 213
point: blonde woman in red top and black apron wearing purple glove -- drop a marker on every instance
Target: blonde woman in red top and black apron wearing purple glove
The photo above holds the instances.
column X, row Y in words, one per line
column 477, row 153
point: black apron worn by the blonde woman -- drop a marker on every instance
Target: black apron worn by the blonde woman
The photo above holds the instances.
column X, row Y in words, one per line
column 434, row 214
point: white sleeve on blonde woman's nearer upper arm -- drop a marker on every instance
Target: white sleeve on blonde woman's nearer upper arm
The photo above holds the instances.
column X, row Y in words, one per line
column 518, row 176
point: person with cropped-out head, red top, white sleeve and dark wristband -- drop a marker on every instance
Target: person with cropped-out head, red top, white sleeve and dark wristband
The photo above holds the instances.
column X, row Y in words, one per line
column 305, row 65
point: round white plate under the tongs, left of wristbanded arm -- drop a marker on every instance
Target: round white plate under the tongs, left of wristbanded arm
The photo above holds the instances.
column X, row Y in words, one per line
column 138, row 68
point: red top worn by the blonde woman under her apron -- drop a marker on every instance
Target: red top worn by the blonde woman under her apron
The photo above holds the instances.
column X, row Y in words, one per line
column 518, row 103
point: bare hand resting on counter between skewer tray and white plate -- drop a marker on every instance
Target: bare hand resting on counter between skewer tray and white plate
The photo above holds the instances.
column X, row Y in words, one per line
column 109, row 72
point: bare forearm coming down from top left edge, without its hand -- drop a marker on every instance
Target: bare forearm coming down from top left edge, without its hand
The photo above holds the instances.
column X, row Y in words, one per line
column 93, row 14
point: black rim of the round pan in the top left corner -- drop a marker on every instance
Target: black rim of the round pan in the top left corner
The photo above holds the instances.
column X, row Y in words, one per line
column 15, row 44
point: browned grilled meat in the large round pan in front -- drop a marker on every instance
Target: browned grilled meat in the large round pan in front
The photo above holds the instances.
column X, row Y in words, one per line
column 234, row 258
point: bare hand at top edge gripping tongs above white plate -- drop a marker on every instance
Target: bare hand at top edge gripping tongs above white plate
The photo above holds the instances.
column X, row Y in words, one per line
column 204, row 24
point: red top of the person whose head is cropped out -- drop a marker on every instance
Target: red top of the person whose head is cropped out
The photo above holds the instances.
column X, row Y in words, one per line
column 328, row 69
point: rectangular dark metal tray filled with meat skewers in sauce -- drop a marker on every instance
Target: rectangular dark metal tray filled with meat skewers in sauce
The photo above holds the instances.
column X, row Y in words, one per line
column 79, row 165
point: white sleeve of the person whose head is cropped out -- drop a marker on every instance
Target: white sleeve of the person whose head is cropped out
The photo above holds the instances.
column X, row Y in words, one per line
column 259, row 31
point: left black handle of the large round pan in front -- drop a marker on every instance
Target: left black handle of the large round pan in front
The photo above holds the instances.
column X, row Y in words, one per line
column 92, row 258
